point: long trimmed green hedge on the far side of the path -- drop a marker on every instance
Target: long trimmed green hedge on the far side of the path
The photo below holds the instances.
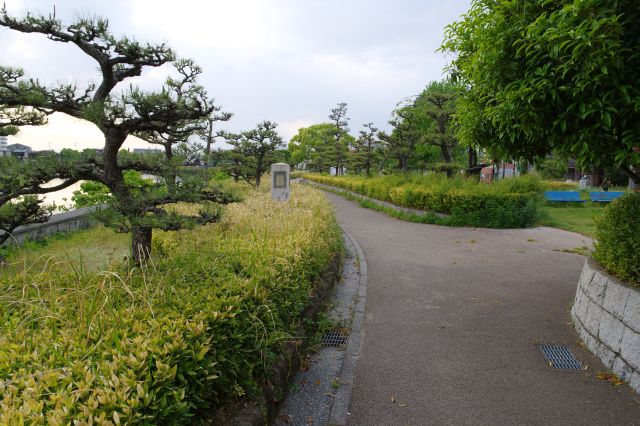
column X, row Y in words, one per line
column 509, row 203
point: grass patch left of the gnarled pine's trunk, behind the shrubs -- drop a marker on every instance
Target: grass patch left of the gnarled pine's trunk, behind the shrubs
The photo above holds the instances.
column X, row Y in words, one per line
column 90, row 250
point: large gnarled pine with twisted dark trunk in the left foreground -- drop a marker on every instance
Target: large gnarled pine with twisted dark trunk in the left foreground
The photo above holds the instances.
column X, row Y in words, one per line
column 117, row 115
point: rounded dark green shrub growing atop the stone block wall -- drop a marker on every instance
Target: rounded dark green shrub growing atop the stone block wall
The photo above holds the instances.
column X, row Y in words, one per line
column 618, row 238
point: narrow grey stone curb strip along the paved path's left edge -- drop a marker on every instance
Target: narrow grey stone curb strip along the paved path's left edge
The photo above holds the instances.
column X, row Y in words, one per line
column 339, row 410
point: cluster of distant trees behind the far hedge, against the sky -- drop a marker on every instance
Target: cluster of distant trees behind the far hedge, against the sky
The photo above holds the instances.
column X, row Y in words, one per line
column 421, row 132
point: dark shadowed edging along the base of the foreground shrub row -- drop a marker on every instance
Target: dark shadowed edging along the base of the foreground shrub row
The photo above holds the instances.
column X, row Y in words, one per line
column 289, row 361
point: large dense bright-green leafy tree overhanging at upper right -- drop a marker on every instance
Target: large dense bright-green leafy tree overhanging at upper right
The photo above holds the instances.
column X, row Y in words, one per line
column 550, row 75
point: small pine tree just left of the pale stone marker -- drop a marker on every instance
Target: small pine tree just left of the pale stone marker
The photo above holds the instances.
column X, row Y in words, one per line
column 253, row 152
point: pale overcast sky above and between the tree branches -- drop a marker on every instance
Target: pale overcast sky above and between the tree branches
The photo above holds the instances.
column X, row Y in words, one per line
column 289, row 61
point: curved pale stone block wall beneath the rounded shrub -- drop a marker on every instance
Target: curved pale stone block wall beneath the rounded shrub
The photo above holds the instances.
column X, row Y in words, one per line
column 606, row 314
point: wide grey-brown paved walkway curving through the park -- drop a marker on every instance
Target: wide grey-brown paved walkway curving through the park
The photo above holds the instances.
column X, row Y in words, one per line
column 453, row 317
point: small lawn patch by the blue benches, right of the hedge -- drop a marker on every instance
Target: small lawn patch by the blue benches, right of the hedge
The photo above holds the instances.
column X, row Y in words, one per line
column 580, row 219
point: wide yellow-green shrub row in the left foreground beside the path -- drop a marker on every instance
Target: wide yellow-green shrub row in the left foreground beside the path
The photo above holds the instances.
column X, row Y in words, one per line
column 196, row 328
